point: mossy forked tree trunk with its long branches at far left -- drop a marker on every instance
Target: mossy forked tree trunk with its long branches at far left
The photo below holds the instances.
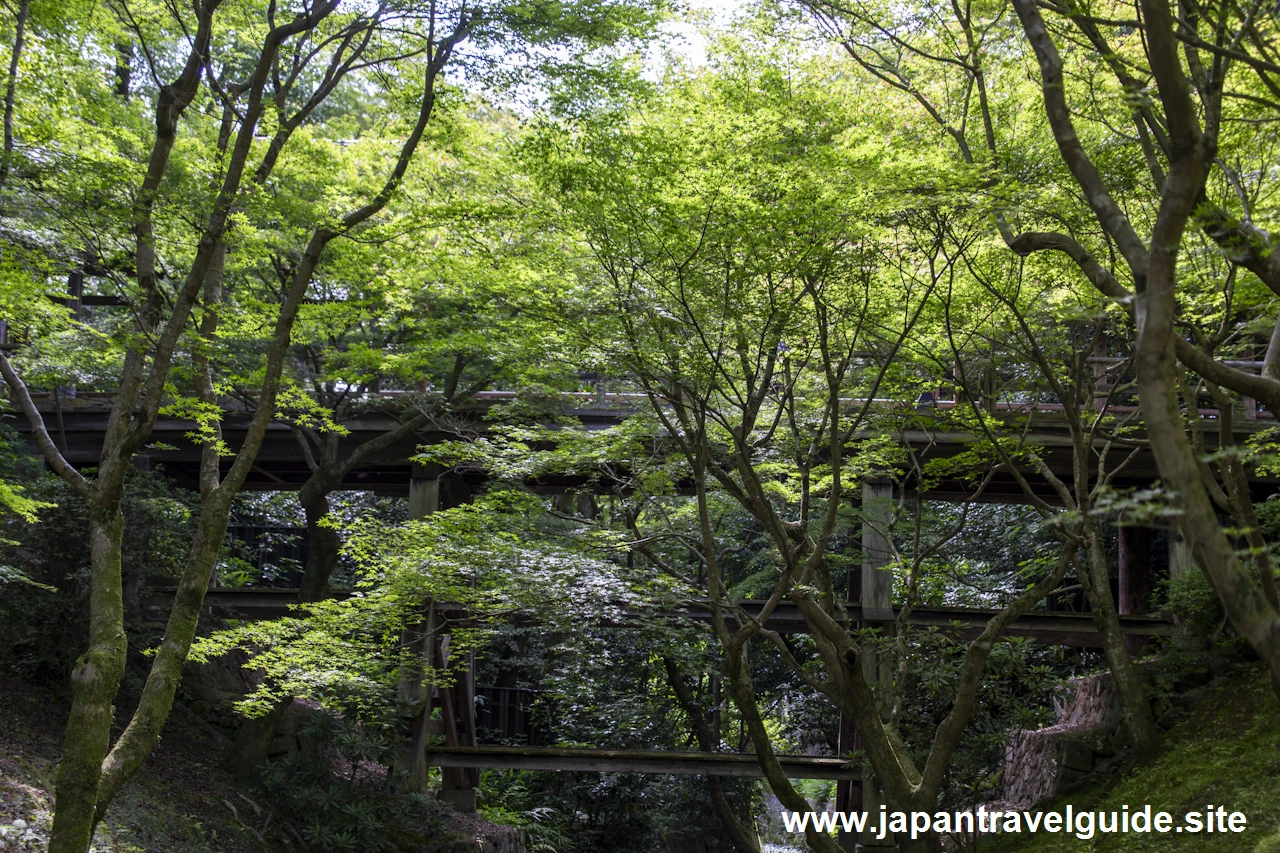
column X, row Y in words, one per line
column 86, row 782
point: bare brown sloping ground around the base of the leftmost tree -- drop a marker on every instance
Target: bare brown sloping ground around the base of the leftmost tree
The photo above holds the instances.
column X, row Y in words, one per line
column 177, row 804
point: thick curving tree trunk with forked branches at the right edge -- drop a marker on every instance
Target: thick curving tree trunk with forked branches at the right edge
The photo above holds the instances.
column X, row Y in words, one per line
column 1155, row 275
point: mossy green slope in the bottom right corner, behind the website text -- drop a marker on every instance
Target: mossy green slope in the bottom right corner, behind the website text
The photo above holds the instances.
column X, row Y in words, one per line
column 1227, row 754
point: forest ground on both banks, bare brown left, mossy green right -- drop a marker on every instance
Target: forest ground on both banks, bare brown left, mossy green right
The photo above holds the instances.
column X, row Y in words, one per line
column 1228, row 752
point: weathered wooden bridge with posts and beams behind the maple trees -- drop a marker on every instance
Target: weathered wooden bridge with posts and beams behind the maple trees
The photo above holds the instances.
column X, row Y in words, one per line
column 77, row 426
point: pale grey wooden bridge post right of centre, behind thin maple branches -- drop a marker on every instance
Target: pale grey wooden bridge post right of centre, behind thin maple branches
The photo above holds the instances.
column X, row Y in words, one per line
column 877, row 600
